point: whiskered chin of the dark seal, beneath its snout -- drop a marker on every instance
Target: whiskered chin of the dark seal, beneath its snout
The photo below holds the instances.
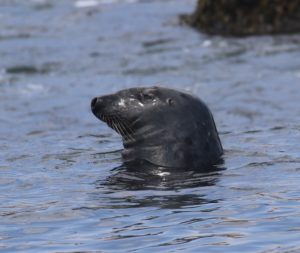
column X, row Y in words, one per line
column 117, row 123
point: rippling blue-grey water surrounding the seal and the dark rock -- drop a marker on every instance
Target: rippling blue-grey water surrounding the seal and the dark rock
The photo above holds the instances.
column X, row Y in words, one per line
column 62, row 186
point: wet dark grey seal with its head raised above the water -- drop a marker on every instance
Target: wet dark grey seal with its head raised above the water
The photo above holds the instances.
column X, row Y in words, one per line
column 165, row 127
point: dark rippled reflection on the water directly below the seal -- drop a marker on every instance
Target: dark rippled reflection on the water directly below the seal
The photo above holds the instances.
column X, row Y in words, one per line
column 167, row 185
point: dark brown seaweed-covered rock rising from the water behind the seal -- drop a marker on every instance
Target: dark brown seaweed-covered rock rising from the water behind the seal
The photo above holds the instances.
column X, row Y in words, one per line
column 246, row 17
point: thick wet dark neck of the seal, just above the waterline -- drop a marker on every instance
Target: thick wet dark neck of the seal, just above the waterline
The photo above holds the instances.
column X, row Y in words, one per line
column 176, row 144
